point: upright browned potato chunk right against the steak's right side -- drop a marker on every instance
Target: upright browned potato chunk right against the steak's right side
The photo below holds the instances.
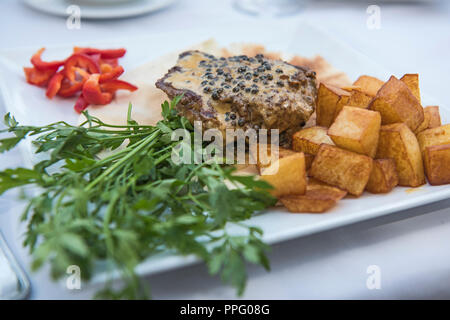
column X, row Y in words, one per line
column 328, row 99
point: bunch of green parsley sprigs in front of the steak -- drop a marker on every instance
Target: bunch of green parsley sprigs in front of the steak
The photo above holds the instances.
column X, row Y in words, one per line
column 111, row 194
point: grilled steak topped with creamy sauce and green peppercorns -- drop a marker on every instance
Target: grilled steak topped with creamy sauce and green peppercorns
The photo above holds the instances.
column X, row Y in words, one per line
column 241, row 92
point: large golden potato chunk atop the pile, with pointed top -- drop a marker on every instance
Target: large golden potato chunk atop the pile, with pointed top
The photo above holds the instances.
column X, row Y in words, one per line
column 396, row 103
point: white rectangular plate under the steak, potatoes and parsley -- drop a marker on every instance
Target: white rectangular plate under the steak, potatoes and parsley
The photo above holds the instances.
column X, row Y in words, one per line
column 30, row 106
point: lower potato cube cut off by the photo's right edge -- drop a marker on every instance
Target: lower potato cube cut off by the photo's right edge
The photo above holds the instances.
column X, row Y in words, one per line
column 437, row 164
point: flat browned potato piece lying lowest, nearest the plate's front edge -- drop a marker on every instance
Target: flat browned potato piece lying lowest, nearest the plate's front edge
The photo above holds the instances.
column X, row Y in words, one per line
column 317, row 199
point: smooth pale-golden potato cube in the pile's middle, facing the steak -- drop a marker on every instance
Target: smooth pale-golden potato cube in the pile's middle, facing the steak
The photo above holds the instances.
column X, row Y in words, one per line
column 356, row 130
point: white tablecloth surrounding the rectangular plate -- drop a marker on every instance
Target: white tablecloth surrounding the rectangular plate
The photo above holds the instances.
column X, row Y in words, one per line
column 410, row 249
